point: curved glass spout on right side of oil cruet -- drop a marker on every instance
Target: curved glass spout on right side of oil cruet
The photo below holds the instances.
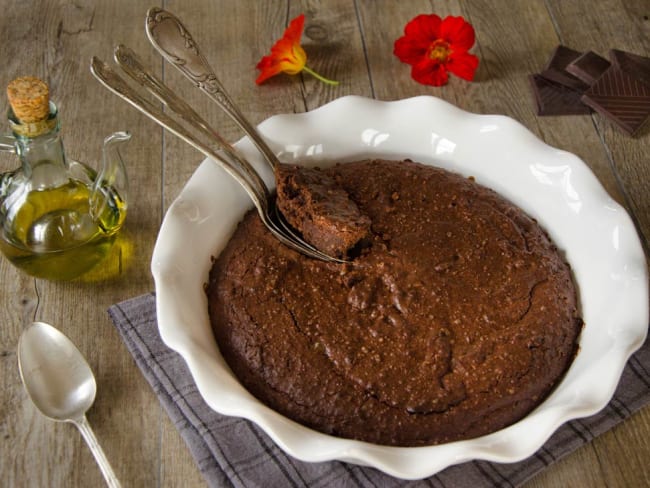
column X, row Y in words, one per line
column 111, row 185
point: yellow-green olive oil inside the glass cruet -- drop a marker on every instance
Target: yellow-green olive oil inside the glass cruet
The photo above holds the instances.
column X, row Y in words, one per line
column 51, row 234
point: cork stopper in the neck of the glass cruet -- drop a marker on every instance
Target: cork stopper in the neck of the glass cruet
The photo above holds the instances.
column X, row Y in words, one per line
column 29, row 98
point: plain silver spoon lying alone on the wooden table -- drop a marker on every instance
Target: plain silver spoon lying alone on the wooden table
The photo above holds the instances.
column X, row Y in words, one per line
column 60, row 383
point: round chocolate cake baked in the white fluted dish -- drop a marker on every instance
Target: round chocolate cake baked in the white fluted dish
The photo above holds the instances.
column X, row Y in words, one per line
column 456, row 320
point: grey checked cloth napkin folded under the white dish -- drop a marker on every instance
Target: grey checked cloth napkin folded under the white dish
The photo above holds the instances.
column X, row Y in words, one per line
column 235, row 452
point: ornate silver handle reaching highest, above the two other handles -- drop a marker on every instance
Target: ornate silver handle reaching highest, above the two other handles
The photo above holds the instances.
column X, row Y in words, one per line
column 170, row 37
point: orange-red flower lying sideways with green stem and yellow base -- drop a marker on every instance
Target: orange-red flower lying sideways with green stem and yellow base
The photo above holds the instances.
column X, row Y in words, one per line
column 287, row 55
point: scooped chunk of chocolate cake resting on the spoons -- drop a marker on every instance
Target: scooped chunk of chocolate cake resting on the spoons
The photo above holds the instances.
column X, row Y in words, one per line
column 315, row 205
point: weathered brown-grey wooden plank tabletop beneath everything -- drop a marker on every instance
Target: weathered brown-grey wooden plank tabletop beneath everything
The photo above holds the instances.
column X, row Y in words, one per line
column 349, row 40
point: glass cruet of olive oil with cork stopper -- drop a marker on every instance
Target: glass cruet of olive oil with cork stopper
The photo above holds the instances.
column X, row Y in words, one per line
column 58, row 218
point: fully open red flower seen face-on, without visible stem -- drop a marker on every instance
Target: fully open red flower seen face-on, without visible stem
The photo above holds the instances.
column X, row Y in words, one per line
column 433, row 47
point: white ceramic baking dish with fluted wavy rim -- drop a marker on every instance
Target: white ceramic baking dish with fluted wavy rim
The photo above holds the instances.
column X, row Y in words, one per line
column 553, row 186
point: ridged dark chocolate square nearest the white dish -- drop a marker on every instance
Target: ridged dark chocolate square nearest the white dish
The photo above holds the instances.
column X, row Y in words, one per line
column 621, row 98
